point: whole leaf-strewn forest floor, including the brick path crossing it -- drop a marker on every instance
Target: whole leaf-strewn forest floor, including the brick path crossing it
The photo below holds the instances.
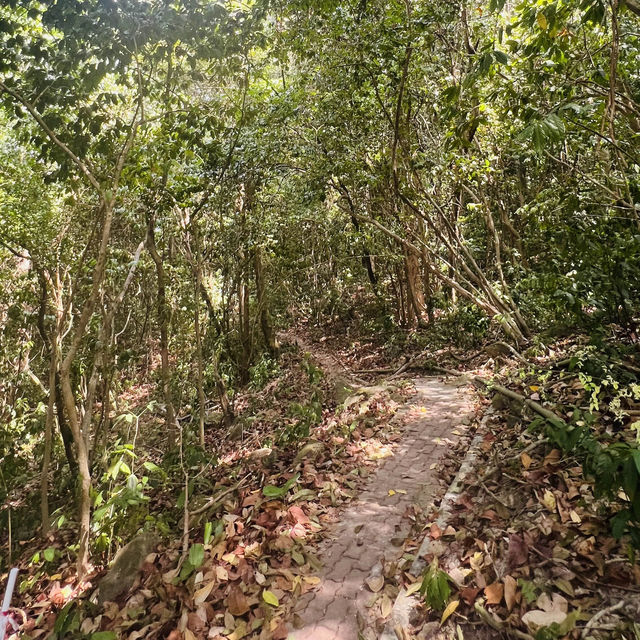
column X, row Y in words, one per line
column 309, row 526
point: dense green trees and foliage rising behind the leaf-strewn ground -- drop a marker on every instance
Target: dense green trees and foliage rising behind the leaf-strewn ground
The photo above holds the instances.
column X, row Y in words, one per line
column 179, row 180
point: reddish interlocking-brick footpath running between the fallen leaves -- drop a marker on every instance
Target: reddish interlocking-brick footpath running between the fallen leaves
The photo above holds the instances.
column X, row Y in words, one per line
column 372, row 529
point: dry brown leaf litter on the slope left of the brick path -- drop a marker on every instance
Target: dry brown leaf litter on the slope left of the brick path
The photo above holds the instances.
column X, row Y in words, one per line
column 263, row 536
